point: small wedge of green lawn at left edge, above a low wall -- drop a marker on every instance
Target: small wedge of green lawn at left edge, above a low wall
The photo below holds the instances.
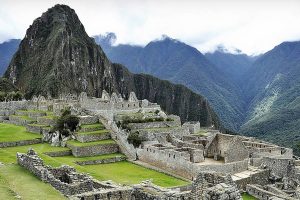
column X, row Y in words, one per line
column 11, row 132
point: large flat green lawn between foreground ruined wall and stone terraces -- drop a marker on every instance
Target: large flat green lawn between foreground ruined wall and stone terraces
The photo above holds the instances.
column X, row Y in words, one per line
column 120, row 172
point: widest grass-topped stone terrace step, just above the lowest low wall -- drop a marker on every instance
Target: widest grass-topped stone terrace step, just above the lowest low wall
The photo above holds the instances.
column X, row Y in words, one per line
column 101, row 147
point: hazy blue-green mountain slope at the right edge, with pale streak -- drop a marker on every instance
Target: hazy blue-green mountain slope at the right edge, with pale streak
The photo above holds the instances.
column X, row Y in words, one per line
column 273, row 88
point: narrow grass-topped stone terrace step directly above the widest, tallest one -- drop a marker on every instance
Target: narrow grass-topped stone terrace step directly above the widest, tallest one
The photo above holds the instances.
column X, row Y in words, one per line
column 93, row 135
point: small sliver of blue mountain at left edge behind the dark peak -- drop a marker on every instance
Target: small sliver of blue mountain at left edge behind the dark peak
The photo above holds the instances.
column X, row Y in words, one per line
column 7, row 50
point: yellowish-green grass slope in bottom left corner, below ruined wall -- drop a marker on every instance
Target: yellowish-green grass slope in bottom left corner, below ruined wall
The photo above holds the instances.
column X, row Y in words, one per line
column 17, row 181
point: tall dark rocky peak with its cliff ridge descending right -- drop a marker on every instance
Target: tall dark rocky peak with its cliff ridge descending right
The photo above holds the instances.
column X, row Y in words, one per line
column 57, row 56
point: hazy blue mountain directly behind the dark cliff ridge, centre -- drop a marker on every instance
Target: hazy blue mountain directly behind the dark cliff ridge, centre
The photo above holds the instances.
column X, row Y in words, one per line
column 177, row 62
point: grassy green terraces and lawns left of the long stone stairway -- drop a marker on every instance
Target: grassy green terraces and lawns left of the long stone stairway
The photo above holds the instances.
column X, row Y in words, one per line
column 93, row 151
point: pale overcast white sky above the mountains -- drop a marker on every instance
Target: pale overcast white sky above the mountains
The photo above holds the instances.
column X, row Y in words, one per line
column 253, row 26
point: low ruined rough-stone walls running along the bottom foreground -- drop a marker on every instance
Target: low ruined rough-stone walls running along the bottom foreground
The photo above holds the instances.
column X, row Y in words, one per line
column 76, row 185
